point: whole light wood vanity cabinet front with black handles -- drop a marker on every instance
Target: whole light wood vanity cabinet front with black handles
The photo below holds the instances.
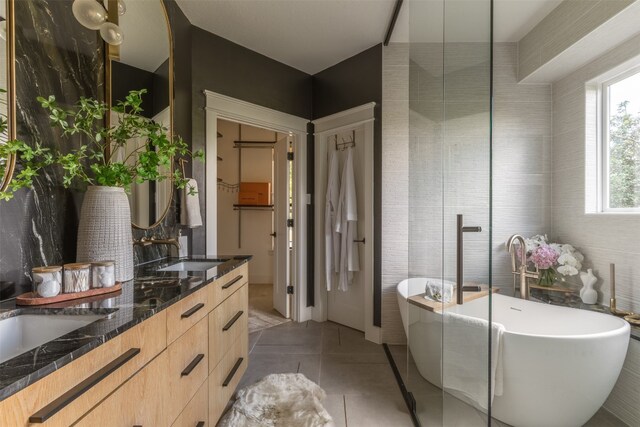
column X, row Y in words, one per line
column 177, row 368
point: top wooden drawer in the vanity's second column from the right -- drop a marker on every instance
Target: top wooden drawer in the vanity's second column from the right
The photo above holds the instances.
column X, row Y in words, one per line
column 187, row 312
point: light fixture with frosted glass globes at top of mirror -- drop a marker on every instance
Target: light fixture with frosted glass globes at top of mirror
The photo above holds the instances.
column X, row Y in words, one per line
column 94, row 16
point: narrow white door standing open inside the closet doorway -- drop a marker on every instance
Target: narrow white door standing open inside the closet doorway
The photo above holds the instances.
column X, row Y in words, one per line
column 282, row 213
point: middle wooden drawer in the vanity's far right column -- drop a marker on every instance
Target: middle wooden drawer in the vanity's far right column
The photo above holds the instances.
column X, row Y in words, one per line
column 228, row 322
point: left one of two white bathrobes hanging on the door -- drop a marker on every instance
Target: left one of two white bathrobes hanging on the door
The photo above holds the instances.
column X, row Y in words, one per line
column 331, row 237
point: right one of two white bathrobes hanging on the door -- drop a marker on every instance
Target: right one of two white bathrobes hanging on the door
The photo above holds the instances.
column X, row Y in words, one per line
column 347, row 224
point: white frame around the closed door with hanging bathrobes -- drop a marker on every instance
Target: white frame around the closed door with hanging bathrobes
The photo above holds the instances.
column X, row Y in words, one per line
column 324, row 127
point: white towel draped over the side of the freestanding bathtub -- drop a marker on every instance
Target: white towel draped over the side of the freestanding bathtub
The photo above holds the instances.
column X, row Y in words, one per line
column 464, row 367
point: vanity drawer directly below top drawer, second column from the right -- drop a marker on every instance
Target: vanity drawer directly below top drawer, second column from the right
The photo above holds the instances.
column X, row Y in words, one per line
column 188, row 366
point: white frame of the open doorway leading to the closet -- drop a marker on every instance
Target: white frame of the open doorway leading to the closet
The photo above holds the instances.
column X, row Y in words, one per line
column 219, row 106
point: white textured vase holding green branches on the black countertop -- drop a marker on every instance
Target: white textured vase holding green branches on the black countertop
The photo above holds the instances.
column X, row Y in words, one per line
column 104, row 233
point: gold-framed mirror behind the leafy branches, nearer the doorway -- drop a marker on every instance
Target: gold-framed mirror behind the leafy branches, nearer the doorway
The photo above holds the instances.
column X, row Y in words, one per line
column 144, row 60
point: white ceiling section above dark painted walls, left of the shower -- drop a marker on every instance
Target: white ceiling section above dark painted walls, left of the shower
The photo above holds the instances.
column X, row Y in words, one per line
column 309, row 35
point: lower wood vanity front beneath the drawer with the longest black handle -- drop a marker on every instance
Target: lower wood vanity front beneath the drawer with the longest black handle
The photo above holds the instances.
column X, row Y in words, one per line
column 141, row 401
